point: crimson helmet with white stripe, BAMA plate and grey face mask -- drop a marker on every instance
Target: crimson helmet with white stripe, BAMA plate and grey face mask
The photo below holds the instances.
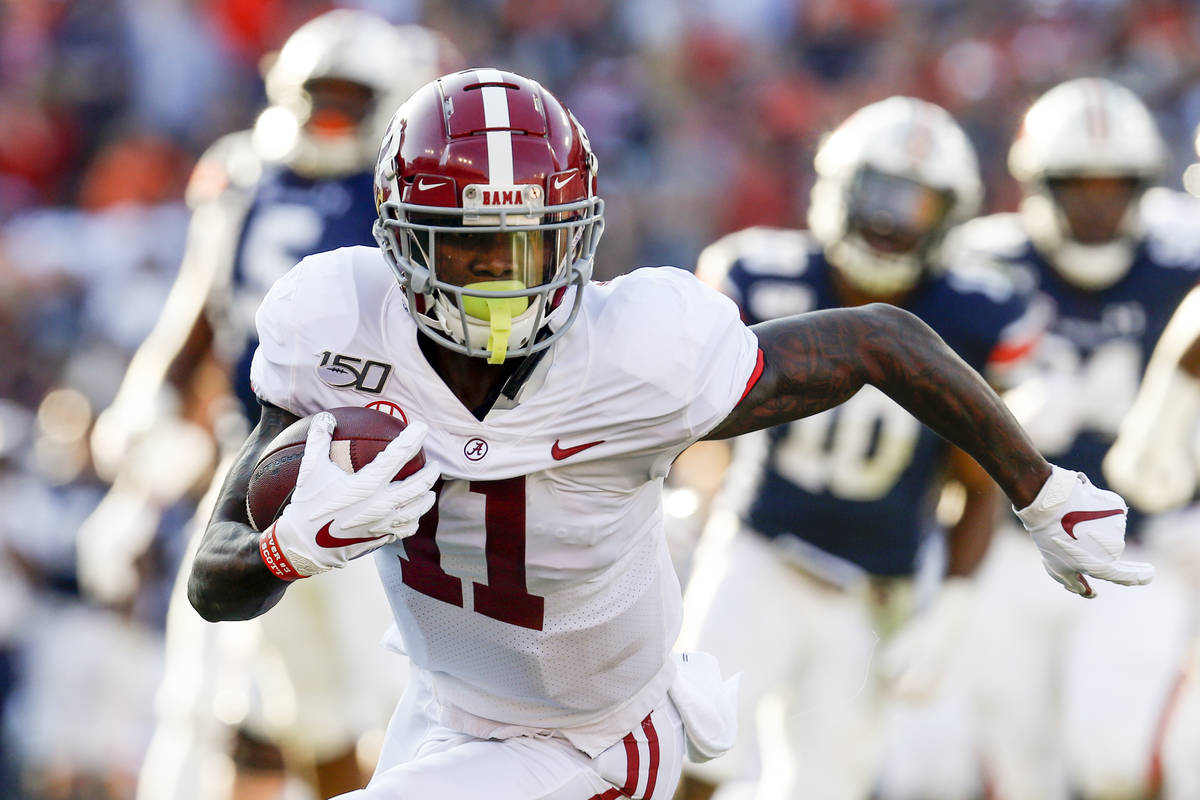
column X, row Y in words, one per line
column 489, row 214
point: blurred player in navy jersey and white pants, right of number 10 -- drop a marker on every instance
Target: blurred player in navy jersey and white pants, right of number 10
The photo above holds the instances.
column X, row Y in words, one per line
column 1114, row 257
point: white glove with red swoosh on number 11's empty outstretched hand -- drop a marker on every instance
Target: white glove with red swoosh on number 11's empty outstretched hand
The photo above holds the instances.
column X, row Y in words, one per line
column 1081, row 532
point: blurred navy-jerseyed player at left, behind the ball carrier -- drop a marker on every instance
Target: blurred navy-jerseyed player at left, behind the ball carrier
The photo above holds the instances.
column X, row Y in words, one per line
column 299, row 183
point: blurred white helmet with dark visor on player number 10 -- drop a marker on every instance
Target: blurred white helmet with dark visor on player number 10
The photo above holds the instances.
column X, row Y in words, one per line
column 892, row 181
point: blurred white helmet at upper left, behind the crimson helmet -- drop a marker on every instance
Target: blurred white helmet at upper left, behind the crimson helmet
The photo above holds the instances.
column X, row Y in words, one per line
column 333, row 88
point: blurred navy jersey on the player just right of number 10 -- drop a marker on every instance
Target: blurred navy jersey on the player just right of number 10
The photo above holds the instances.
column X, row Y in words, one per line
column 1091, row 362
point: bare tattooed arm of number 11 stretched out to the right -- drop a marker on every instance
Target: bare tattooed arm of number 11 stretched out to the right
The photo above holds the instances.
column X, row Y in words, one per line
column 818, row 360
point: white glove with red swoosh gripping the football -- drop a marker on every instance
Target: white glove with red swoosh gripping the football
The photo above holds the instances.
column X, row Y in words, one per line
column 337, row 516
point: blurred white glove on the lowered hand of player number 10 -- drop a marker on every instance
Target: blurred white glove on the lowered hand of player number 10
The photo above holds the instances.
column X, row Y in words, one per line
column 915, row 659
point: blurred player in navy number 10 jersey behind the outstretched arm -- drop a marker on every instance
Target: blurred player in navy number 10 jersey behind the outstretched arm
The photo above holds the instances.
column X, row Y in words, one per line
column 831, row 516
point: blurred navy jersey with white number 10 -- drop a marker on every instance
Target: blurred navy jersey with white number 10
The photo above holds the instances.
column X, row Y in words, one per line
column 859, row 482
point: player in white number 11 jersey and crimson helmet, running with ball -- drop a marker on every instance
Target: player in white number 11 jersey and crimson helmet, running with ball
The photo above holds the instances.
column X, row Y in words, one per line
column 527, row 566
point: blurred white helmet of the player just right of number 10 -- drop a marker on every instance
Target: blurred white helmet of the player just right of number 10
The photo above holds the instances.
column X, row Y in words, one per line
column 1085, row 129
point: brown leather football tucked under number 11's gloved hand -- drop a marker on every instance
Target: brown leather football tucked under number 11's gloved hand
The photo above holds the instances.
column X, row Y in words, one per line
column 361, row 435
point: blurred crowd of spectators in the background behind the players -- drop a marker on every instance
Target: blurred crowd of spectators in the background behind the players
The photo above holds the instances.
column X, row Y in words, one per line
column 705, row 116
